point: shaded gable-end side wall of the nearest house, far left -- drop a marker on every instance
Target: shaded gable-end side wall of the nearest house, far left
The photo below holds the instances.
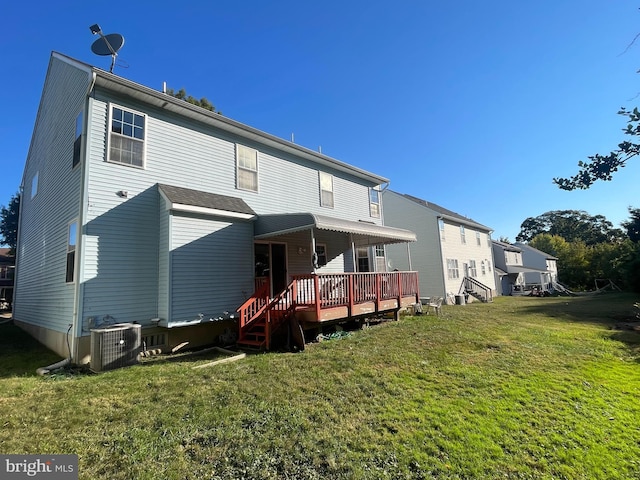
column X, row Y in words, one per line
column 43, row 297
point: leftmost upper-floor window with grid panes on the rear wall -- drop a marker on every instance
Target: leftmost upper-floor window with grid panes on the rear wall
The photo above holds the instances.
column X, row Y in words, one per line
column 126, row 139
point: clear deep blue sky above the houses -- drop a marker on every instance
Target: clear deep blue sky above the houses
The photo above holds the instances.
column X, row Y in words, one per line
column 472, row 105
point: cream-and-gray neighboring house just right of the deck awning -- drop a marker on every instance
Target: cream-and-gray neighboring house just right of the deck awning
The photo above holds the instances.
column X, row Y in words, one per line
column 452, row 254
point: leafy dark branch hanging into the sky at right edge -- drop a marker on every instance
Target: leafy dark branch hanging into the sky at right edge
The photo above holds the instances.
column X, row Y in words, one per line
column 602, row 167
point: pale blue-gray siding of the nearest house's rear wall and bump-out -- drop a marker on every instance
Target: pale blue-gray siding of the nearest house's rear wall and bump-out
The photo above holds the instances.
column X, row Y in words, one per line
column 183, row 153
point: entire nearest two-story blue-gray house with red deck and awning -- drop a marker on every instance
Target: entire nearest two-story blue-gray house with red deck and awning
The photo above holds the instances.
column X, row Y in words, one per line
column 140, row 207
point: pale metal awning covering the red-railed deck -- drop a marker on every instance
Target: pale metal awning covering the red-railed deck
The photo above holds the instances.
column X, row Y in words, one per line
column 363, row 233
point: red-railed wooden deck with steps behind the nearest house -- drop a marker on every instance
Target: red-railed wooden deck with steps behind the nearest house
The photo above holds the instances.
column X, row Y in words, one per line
column 314, row 299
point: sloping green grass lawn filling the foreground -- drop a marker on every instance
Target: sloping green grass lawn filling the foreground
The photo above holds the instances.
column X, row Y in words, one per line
column 520, row 388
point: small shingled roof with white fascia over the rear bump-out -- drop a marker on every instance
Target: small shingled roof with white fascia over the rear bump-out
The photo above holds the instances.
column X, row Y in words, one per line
column 195, row 201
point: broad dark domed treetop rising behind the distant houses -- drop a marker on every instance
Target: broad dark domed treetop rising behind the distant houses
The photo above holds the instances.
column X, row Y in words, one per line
column 572, row 225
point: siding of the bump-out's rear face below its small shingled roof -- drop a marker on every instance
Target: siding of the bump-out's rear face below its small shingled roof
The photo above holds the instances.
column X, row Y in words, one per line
column 211, row 266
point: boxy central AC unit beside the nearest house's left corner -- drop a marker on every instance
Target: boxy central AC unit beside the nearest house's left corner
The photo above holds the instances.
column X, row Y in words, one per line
column 115, row 346
